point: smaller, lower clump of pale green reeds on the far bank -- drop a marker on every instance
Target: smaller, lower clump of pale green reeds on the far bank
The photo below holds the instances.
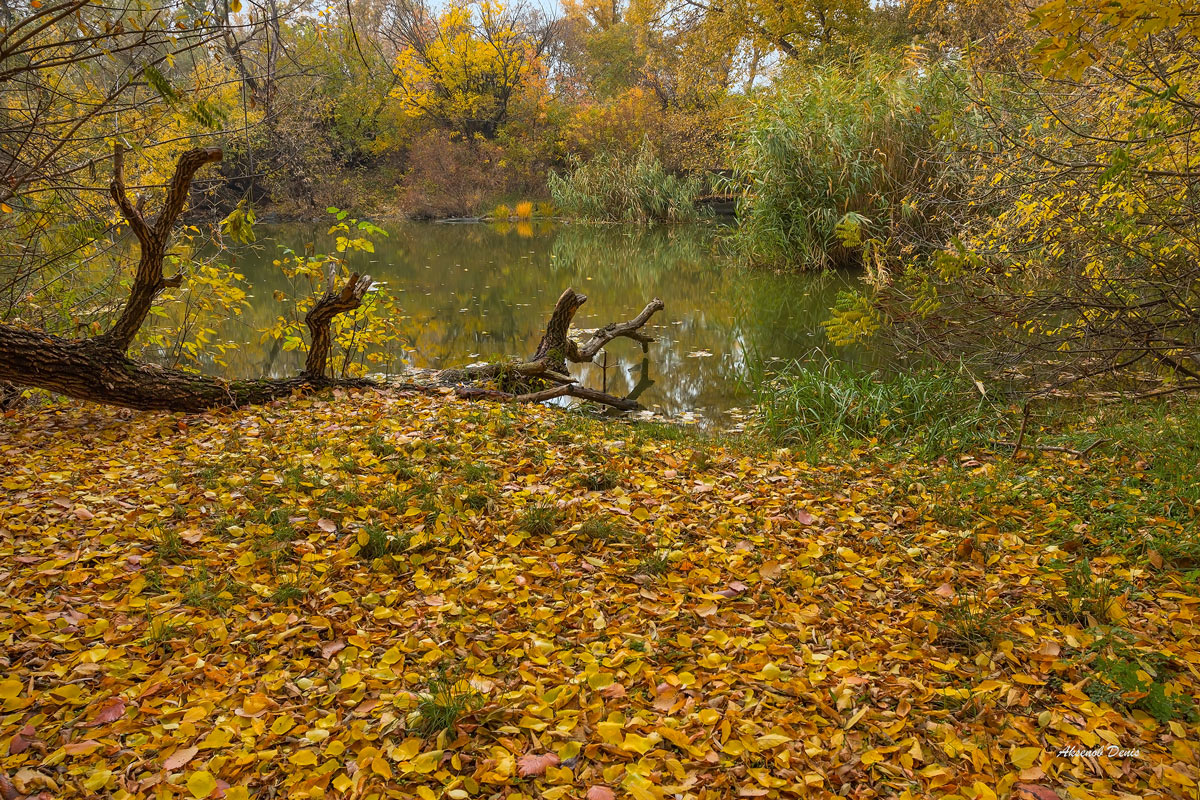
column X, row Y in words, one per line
column 615, row 188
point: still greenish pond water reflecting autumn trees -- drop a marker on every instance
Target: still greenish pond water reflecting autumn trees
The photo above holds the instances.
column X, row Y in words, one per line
column 477, row 292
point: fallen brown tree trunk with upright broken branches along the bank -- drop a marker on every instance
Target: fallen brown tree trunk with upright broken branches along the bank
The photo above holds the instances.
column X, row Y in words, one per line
column 100, row 369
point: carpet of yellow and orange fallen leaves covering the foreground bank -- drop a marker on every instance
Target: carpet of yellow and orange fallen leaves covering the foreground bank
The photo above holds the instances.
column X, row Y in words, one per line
column 272, row 604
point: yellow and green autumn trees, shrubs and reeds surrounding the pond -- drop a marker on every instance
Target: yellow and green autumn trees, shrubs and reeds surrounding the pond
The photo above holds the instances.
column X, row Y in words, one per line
column 1016, row 185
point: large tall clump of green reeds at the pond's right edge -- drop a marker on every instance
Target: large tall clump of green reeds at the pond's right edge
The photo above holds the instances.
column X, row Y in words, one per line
column 838, row 158
